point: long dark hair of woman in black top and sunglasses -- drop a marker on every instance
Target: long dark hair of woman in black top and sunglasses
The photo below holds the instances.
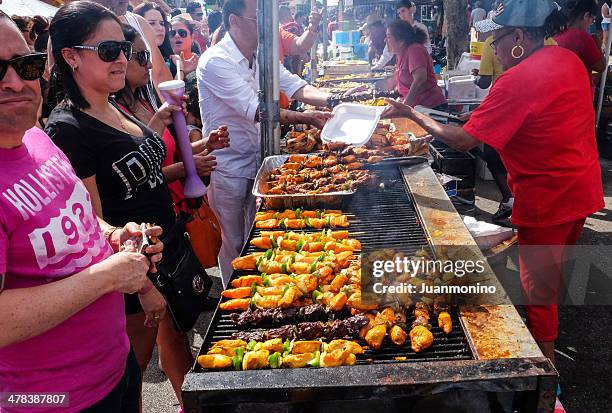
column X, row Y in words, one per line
column 72, row 25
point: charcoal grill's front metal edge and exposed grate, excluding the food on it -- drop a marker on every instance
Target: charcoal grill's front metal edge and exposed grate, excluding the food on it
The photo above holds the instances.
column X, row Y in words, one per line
column 388, row 379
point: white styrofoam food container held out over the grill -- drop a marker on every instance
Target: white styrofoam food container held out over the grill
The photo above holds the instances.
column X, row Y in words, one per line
column 351, row 124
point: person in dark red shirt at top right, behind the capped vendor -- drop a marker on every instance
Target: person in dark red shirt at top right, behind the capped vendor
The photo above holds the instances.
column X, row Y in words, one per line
column 579, row 15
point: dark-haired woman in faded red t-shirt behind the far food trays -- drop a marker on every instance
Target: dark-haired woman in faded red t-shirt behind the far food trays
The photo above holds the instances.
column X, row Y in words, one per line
column 414, row 76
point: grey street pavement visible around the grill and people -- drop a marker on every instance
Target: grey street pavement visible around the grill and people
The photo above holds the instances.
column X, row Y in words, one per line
column 584, row 346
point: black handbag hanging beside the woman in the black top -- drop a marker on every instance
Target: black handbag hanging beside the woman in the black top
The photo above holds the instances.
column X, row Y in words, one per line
column 180, row 277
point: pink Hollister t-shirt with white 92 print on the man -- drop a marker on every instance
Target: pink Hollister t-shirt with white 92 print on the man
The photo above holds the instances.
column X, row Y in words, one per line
column 49, row 231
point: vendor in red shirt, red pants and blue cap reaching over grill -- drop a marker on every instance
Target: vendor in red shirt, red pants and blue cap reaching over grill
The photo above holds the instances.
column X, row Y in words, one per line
column 539, row 117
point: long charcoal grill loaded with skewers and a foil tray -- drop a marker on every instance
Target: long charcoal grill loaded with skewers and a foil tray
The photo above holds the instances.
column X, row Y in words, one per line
column 295, row 329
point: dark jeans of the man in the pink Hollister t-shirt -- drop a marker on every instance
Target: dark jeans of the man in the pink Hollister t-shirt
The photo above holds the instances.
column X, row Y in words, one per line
column 125, row 397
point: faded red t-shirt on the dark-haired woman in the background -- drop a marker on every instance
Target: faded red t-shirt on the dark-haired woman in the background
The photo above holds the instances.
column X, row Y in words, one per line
column 415, row 57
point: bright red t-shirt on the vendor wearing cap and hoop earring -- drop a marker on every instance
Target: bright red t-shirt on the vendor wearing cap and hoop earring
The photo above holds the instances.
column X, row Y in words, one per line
column 540, row 118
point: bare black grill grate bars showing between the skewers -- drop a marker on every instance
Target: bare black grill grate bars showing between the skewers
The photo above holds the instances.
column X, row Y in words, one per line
column 381, row 217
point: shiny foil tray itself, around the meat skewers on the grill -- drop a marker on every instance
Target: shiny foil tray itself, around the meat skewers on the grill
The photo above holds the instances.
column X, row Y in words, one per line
column 329, row 199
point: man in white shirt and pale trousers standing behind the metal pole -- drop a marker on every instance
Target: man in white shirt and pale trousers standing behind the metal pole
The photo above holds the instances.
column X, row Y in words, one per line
column 228, row 81
